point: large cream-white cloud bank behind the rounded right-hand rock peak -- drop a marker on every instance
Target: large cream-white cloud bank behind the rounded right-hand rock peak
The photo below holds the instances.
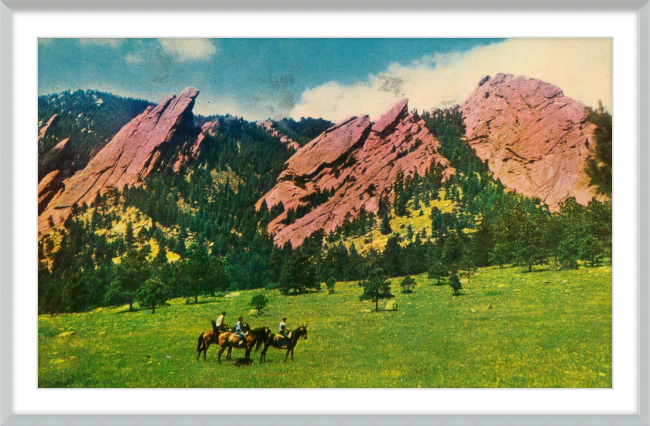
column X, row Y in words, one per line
column 582, row 68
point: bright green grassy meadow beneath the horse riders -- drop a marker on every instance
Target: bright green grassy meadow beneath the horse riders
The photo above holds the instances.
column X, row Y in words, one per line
column 508, row 329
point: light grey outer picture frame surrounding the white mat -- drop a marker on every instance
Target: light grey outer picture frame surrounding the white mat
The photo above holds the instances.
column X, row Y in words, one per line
column 8, row 233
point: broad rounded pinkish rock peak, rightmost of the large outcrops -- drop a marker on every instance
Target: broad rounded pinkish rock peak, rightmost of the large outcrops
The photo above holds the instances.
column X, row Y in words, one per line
column 534, row 139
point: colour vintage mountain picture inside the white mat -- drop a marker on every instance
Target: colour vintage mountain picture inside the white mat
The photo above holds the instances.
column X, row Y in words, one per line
column 324, row 213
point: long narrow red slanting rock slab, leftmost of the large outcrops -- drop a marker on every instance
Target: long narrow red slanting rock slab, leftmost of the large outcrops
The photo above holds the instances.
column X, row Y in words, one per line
column 141, row 146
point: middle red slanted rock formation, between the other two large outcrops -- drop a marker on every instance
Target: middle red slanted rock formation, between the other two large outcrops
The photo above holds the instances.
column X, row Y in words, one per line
column 357, row 162
